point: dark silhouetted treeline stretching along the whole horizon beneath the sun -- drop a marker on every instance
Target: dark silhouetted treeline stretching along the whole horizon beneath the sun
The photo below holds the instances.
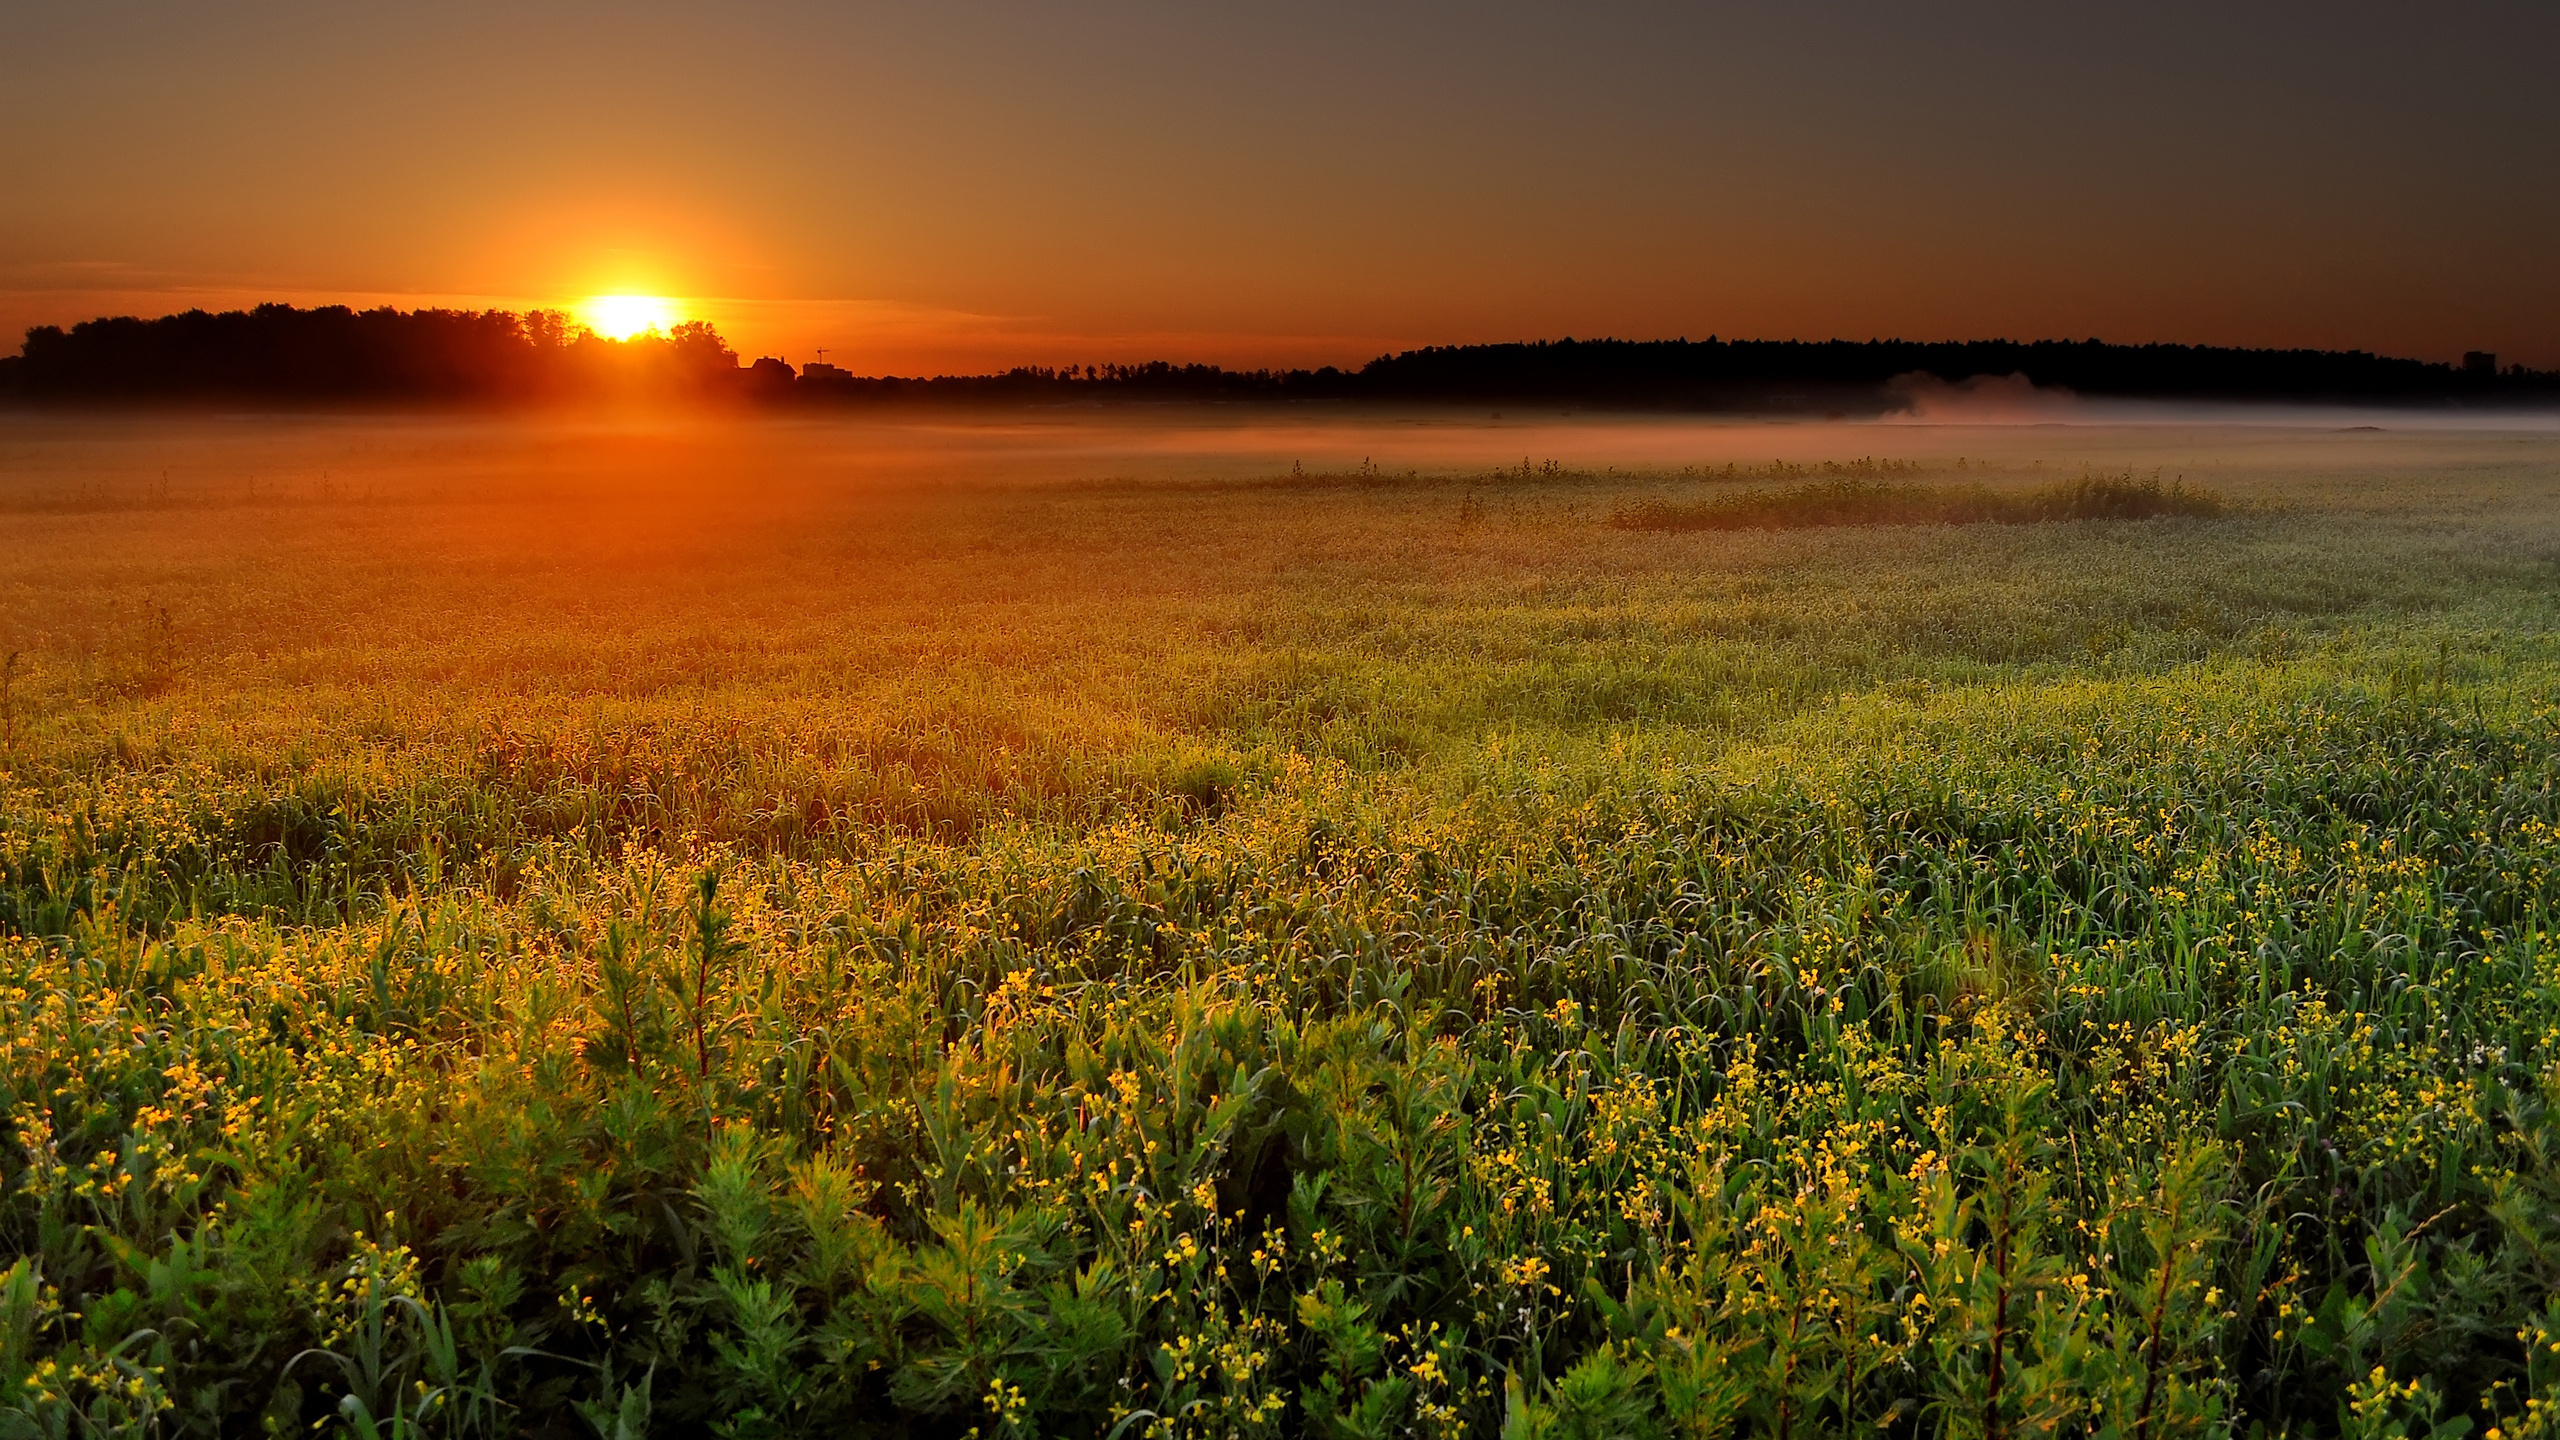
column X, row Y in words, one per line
column 334, row 352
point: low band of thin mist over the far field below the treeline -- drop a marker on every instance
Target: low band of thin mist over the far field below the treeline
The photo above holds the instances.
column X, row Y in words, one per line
column 2008, row 427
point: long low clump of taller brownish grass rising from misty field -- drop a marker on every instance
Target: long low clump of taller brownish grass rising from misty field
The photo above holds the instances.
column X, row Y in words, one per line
column 1855, row 501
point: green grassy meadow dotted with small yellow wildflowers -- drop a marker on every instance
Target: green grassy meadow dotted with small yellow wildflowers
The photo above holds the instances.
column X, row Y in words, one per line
column 1194, row 929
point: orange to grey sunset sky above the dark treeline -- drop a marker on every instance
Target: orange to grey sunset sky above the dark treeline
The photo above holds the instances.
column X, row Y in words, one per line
column 966, row 186
